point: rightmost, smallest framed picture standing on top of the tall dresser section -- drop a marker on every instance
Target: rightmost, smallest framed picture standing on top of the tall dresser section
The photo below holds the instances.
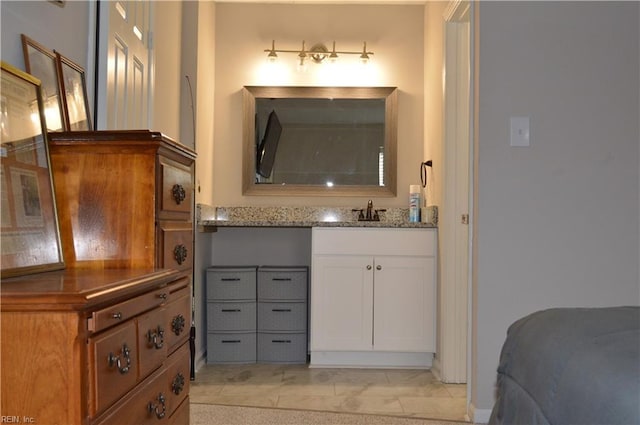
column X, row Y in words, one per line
column 73, row 87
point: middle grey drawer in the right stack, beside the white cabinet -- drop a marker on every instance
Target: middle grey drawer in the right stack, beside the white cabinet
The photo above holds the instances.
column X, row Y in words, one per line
column 282, row 316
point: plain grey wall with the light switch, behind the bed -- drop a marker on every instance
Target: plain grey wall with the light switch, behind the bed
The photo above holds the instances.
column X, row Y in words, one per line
column 558, row 221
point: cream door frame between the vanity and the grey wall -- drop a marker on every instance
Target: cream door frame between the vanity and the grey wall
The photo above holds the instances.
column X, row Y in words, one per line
column 454, row 351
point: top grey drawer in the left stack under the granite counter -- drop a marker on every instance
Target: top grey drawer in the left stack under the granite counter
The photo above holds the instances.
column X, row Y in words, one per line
column 231, row 283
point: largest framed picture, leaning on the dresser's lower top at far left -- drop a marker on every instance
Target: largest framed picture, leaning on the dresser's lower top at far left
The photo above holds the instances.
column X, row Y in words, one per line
column 29, row 226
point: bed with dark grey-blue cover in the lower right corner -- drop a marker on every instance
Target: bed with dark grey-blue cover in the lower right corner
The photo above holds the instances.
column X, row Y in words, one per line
column 571, row 366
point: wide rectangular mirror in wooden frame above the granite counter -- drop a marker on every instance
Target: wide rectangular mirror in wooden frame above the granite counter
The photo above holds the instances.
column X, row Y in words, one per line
column 332, row 141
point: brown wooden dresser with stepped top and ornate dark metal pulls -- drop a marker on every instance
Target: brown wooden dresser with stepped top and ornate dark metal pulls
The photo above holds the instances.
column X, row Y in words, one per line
column 106, row 341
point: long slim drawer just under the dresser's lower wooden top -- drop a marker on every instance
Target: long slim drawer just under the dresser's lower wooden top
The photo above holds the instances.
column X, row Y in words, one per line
column 118, row 313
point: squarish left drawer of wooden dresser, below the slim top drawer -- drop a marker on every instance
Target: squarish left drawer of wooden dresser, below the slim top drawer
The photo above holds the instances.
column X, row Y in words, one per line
column 114, row 363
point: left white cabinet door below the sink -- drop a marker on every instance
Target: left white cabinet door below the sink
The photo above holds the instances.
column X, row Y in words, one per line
column 341, row 303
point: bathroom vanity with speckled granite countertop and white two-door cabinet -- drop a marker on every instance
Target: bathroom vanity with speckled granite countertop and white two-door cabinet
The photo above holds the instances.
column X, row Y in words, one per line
column 372, row 298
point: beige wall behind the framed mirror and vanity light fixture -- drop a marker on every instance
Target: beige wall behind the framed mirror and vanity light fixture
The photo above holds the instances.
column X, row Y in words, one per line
column 243, row 31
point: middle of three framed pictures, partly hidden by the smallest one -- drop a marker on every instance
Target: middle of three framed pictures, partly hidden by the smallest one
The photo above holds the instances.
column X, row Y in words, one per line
column 42, row 64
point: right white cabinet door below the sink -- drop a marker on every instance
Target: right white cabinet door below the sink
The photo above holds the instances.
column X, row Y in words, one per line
column 403, row 304
